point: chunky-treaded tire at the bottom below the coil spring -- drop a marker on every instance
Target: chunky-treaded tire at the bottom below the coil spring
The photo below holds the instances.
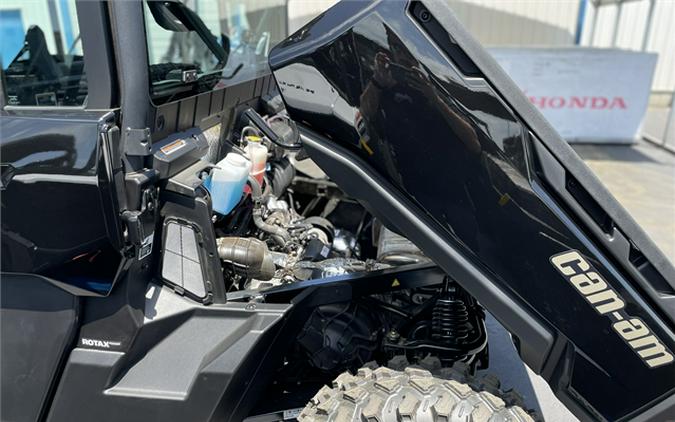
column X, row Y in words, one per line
column 412, row 395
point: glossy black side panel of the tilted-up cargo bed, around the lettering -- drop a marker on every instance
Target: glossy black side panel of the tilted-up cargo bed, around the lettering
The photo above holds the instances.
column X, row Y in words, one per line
column 369, row 78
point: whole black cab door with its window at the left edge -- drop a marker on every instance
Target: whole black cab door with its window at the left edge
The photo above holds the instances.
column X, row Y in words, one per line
column 61, row 232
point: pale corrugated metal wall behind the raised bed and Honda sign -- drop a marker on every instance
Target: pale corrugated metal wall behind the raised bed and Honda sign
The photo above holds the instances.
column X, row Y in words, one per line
column 551, row 23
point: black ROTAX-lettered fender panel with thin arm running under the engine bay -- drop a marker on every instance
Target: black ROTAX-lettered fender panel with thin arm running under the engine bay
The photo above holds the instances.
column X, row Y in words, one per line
column 172, row 359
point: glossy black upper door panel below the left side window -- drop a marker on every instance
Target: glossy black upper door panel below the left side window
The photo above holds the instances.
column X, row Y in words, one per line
column 56, row 208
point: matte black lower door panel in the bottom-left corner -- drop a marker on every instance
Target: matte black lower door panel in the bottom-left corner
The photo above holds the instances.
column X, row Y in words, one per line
column 38, row 324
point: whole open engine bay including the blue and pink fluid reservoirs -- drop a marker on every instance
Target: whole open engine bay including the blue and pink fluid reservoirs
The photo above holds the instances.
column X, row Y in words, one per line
column 285, row 221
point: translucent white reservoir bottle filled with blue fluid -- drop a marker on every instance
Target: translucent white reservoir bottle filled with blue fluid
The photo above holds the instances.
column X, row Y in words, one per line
column 226, row 182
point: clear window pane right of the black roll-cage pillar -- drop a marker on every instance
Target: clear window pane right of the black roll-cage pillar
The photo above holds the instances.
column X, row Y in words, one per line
column 204, row 44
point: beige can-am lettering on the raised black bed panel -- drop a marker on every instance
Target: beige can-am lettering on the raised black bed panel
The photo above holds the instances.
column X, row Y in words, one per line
column 607, row 302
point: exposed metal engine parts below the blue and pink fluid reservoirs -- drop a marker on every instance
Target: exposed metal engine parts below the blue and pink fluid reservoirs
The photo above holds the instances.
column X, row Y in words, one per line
column 302, row 228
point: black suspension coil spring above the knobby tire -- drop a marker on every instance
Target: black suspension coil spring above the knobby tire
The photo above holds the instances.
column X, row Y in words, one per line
column 449, row 320
